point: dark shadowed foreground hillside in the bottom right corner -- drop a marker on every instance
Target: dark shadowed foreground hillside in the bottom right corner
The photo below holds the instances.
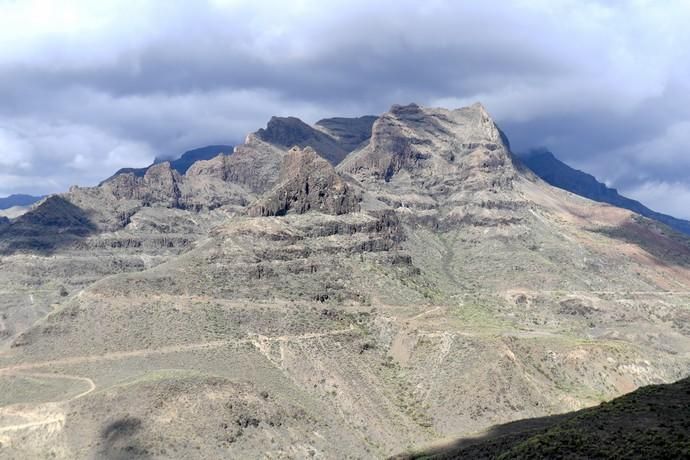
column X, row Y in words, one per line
column 651, row 422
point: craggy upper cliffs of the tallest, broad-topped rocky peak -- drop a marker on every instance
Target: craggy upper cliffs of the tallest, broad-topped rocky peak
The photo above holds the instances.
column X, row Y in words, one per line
column 431, row 141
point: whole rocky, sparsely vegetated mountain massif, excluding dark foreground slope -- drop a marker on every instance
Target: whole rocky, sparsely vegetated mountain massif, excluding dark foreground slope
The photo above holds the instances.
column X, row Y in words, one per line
column 347, row 290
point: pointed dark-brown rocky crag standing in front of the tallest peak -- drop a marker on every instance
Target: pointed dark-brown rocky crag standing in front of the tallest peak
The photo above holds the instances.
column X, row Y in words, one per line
column 307, row 182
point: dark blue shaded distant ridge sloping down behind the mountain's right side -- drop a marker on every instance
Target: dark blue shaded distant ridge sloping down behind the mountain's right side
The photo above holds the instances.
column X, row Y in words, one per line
column 559, row 174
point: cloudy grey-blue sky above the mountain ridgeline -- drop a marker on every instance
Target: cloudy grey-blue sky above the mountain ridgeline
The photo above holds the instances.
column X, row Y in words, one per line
column 87, row 87
